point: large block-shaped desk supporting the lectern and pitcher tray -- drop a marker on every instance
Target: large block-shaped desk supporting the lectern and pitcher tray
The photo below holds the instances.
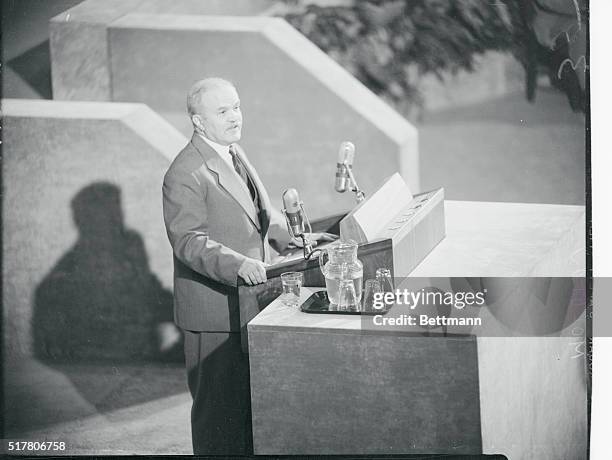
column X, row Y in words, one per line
column 347, row 389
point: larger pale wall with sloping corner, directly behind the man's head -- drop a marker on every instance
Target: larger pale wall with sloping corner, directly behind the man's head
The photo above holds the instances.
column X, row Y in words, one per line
column 298, row 104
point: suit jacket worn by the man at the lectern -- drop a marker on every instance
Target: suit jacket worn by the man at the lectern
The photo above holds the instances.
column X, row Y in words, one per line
column 213, row 226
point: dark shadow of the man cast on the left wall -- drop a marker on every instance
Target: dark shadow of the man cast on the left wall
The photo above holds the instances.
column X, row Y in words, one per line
column 101, row 301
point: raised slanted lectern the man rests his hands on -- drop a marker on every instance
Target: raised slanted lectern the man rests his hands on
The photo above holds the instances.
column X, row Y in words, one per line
column 394, row 229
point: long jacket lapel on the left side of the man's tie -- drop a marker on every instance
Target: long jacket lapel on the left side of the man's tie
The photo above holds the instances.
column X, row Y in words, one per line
column 226, row 178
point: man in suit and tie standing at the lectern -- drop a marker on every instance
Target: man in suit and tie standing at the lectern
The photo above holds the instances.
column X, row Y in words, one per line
column 220, row 224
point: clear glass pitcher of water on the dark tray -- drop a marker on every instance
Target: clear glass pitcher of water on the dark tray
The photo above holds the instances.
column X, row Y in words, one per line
column 342, row 264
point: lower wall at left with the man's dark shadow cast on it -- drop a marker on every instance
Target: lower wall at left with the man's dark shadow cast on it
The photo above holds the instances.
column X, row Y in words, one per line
column 87, row 269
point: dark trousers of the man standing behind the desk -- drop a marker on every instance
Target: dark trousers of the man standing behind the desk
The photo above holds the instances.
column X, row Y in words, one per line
column 218, row 378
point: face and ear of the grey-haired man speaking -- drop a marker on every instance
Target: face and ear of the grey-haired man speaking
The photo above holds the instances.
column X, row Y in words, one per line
column 220, row 117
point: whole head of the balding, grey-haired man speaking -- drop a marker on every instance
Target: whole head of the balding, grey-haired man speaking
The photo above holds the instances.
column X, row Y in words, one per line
column 214, row 109
